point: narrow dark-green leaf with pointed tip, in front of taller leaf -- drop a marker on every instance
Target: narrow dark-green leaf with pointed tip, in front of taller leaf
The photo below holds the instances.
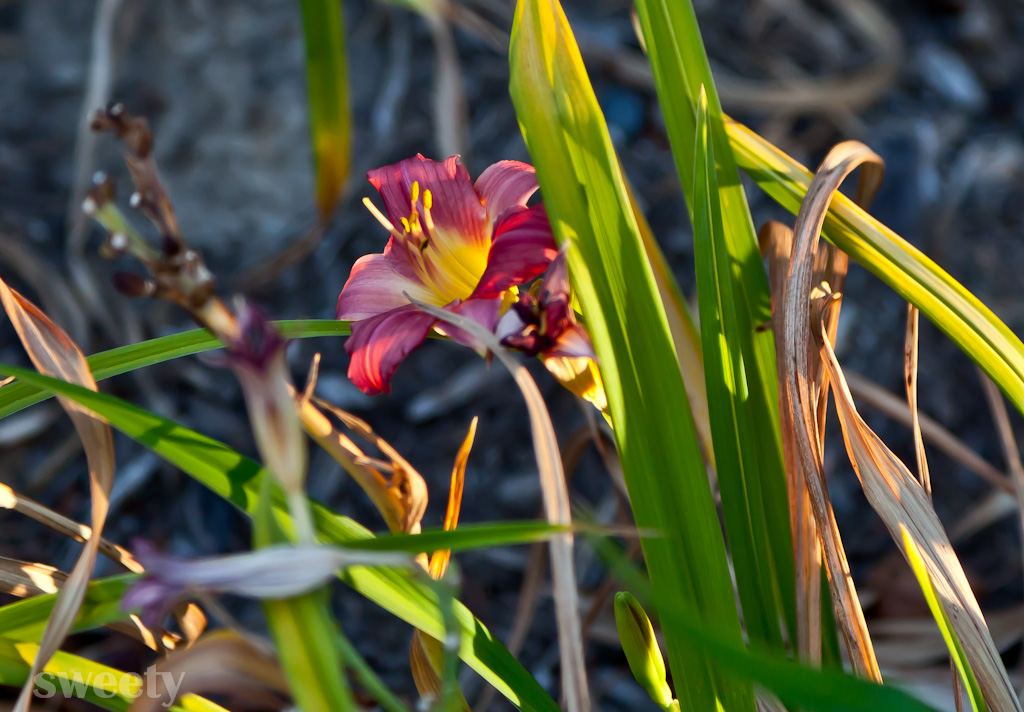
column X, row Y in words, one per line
column 732, row 420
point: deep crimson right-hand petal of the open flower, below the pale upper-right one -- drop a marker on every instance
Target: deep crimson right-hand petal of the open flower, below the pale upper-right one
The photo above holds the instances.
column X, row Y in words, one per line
column 522, row 250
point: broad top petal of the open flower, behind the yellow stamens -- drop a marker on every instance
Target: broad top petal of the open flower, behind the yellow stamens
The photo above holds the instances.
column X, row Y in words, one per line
column 458, row 215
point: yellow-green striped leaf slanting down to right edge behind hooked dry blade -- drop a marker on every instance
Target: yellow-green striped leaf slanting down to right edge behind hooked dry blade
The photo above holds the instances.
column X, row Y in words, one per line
column 970, row 324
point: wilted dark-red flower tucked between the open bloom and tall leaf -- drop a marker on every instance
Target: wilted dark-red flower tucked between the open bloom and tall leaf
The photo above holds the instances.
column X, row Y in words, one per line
column 542, row 323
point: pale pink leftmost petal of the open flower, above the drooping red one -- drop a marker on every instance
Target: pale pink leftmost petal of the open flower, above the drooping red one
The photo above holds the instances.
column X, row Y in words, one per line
column 375, row 287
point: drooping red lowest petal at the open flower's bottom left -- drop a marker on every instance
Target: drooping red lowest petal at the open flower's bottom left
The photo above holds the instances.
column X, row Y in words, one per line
column 378, row 345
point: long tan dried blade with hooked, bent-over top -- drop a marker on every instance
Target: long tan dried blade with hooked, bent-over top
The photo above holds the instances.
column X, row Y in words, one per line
column 801, row 401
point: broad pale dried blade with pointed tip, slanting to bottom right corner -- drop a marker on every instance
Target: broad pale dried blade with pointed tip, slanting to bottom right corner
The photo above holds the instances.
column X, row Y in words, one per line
column 905, row 508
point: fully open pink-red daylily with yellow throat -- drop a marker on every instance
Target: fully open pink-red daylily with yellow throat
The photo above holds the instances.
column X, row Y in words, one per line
column 454, row 244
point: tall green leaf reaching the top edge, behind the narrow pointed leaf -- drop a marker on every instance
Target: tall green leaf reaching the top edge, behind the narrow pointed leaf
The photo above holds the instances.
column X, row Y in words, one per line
column 681, row 71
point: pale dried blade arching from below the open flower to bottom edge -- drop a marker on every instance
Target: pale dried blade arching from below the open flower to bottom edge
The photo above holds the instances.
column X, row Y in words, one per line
column 557, row 506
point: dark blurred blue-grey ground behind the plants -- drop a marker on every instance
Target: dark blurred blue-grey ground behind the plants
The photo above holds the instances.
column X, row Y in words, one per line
column 934, row 87
